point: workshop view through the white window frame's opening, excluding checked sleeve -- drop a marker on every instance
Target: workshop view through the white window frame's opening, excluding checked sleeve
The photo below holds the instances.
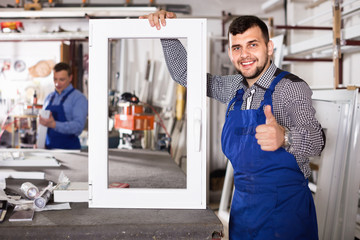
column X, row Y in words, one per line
column 147, row 143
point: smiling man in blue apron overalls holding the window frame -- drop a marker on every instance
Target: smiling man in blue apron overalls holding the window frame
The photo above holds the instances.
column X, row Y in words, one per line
column 269, row 132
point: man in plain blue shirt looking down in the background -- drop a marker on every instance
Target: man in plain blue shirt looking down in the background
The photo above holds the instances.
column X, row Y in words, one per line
column 69, row 109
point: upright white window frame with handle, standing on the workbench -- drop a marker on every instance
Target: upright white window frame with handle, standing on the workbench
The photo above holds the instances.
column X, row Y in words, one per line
column 194, row 195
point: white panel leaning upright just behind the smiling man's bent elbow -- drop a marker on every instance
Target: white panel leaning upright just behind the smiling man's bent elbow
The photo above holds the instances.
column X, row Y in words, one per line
column 334, row 110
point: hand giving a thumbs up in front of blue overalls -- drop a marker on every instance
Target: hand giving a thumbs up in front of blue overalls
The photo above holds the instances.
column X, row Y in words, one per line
column 270, row 136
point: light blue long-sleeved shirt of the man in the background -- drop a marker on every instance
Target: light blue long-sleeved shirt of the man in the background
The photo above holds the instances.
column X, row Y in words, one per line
column 75, row 108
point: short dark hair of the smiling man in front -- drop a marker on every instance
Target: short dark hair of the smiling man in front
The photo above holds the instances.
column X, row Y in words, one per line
column 243, row 23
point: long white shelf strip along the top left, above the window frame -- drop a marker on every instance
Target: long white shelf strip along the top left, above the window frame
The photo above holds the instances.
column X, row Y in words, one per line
column 58, row 12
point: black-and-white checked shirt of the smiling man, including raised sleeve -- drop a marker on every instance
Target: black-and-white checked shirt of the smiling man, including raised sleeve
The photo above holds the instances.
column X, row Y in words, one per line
column 292, row 104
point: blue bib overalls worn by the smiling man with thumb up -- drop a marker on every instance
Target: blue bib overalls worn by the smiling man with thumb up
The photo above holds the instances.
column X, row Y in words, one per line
column 271, row 198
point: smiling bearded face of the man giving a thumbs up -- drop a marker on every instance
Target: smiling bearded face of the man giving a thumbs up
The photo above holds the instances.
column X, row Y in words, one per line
column 250, row 54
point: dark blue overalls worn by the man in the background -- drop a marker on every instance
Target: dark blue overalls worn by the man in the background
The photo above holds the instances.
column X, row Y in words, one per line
column 55, row 139
